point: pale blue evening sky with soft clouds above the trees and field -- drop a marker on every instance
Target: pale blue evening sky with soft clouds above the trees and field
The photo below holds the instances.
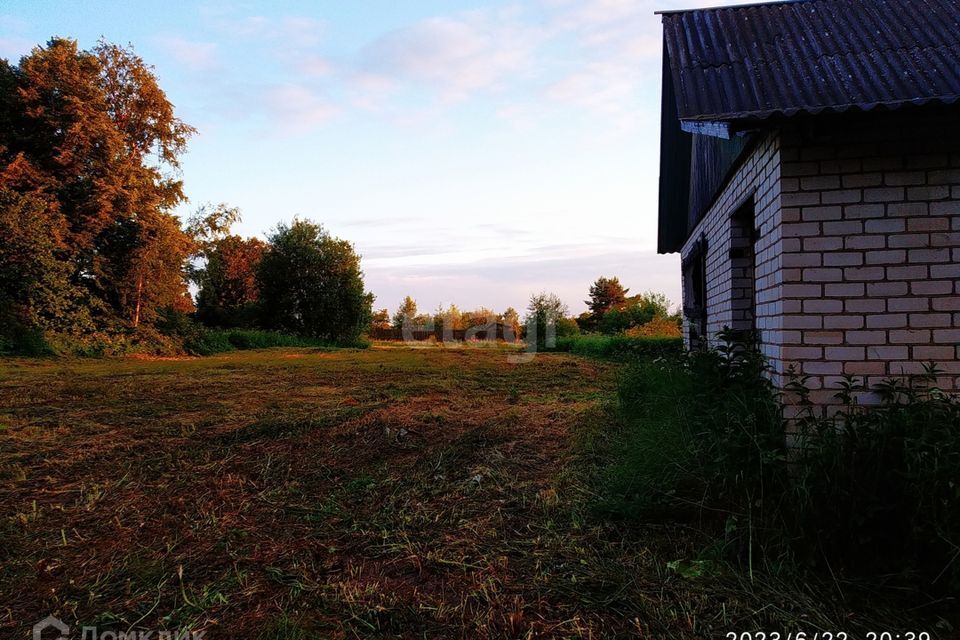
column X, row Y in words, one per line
column 474, row 152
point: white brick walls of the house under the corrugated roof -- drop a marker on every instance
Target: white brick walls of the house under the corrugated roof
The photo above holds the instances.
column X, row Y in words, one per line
column 858, row 255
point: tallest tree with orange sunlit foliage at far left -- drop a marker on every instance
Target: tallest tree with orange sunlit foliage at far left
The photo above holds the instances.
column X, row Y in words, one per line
column 91, row 135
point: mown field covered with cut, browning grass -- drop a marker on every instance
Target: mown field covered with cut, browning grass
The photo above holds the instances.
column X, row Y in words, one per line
column 301, row 493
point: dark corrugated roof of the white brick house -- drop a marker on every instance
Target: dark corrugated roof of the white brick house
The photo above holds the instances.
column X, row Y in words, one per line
column 755, row 61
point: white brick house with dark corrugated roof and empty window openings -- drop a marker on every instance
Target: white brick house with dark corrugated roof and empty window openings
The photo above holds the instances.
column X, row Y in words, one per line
column 810, row 179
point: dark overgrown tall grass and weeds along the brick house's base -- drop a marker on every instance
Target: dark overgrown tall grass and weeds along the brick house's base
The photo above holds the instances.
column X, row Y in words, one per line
column 868, row 493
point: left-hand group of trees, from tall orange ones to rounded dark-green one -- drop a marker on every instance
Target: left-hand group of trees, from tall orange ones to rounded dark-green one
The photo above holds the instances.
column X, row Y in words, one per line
column 92, row 255
